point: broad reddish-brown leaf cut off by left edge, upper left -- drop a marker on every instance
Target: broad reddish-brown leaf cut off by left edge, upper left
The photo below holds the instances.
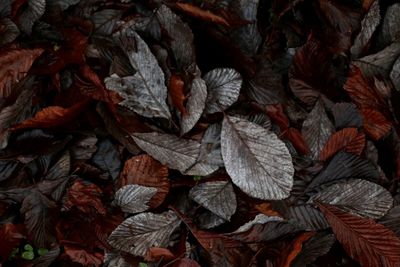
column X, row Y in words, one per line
column 14, row 65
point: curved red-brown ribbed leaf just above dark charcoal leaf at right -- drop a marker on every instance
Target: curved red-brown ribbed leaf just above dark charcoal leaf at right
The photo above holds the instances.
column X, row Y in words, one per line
column 347, row 139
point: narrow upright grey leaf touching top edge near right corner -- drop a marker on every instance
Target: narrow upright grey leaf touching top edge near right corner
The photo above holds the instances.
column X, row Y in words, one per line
column 368, row 27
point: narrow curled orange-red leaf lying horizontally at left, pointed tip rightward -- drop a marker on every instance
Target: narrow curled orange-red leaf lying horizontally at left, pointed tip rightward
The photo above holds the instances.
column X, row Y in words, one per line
column 52, row 116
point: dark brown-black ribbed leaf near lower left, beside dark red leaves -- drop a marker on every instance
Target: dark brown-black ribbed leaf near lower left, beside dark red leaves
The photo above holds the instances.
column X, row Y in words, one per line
column 37, row 210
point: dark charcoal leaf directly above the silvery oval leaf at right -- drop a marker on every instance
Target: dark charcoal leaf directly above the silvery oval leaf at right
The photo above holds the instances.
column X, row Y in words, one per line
column 342, row 166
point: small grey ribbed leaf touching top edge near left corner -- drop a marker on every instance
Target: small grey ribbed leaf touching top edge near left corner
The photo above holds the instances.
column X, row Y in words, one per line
column 33, row 12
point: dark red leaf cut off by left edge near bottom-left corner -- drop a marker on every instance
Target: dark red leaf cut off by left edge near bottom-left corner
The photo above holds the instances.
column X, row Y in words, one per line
column 11, row 235
